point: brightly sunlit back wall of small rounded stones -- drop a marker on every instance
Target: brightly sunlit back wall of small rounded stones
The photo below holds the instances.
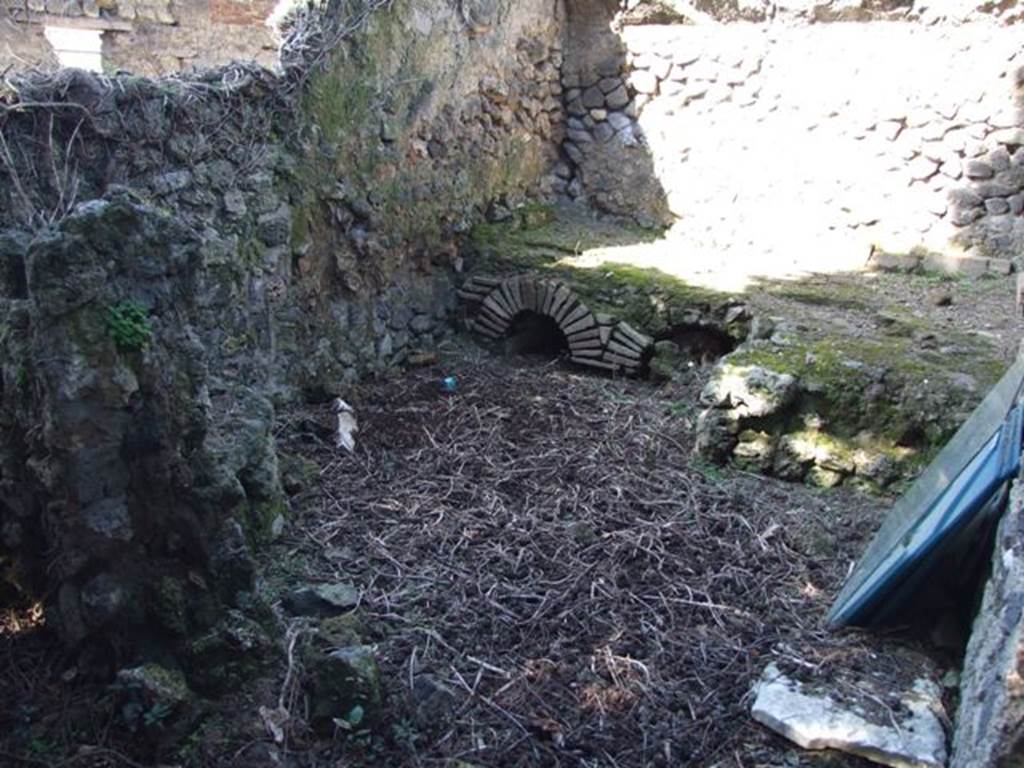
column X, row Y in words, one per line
column 900, row 134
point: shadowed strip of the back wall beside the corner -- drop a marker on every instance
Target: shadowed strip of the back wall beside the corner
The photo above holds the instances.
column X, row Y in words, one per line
column 608, row 162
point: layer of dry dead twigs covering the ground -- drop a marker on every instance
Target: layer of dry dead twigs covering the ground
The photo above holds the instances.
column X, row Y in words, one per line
column 543, row 543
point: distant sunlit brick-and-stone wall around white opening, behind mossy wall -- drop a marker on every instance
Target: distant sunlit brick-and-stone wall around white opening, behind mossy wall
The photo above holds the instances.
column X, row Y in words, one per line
column 149, row 37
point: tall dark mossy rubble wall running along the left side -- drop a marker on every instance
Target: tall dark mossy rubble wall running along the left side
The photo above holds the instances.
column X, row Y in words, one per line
column 181, row 257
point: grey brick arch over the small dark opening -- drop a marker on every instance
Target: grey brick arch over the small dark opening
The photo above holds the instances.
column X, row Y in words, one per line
column 594, row 339
